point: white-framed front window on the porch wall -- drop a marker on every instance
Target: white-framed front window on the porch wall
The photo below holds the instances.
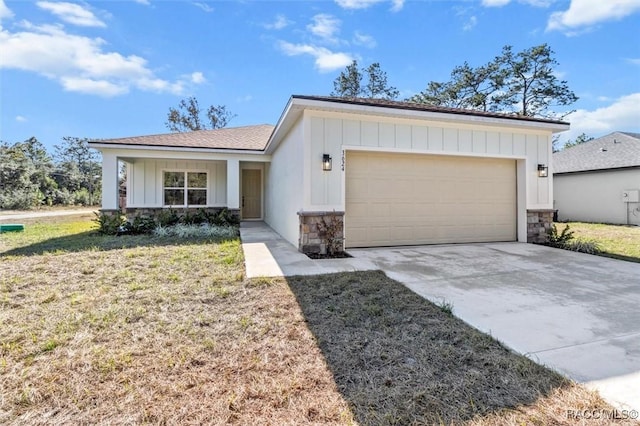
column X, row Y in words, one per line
column 185, row 188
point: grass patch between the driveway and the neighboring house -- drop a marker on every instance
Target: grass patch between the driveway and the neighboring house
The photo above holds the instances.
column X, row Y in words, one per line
column 618, row 241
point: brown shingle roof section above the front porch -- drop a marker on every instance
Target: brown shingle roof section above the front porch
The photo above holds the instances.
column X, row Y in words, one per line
column 252, row 138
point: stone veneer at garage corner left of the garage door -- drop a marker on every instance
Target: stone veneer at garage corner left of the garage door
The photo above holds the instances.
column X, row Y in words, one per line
column 314, row 237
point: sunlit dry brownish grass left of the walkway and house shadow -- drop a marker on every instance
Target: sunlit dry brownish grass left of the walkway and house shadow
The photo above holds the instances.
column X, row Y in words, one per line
column 156, row 334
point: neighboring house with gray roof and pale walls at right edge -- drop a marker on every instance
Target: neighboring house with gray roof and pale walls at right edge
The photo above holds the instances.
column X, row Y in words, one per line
column 599, row 180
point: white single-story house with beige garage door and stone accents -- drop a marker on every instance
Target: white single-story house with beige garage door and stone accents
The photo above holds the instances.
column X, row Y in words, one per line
column 397, row 173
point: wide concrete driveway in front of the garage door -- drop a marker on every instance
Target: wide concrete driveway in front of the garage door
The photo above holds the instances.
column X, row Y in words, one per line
column 577, row 313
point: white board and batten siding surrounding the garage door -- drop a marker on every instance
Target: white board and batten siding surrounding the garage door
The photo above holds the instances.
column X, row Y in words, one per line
column 330, row 133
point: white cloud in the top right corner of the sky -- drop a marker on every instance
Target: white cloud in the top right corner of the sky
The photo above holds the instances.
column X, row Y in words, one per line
column 586, row 13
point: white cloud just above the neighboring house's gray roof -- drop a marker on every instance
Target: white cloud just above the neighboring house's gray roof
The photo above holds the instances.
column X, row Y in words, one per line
column 622, row 115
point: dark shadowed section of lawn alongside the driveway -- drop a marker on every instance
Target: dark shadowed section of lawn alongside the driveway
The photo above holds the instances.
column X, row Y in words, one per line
column 398, row 359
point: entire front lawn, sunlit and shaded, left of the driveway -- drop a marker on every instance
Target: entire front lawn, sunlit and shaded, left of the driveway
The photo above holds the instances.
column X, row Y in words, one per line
column 135, row 330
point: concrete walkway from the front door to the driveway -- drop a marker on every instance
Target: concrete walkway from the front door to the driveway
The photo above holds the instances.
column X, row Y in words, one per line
column 267, row 254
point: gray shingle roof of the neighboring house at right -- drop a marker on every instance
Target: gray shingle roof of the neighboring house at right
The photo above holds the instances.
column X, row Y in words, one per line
column 616, row 150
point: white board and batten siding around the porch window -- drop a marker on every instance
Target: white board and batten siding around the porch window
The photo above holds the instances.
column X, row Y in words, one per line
column 144, row 180
